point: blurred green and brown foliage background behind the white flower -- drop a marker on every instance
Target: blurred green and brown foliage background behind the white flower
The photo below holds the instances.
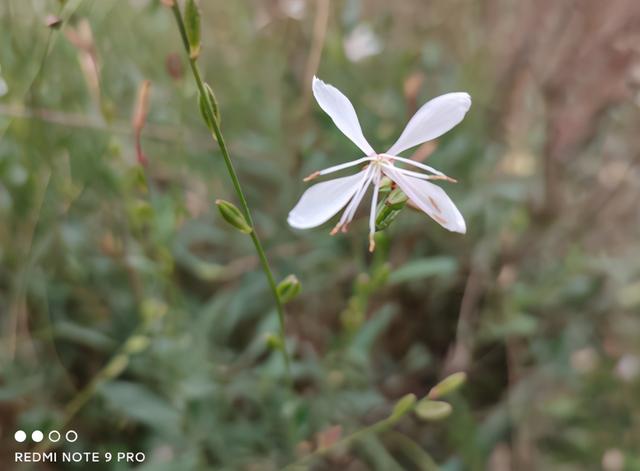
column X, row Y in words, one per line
column 132, row 314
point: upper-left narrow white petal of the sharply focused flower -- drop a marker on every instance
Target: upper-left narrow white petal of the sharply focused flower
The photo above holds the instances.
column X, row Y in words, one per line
column 341, row 111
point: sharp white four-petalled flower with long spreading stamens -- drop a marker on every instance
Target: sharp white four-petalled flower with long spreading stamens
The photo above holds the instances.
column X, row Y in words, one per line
column 323, row 200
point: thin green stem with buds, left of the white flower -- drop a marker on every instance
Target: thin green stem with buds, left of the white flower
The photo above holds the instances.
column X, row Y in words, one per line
column 217, row 135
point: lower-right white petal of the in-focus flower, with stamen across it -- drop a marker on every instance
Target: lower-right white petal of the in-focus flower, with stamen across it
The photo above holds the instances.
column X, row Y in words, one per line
column 431, row 199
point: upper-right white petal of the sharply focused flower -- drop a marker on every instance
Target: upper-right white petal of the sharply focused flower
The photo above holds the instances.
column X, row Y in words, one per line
column 432, row 120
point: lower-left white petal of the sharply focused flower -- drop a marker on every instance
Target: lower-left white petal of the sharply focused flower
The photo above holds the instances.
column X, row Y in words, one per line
column 321, row 201
